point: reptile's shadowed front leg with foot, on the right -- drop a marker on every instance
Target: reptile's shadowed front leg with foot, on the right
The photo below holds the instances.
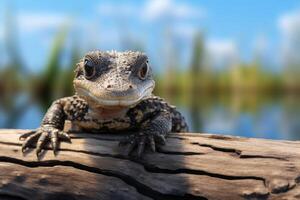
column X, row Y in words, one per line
column 152, row 132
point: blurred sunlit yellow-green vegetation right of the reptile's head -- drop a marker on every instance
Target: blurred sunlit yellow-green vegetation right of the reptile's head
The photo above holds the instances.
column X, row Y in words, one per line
column 241, row 78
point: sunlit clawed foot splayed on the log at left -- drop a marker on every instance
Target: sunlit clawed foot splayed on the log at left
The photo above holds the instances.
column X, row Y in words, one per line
column 41, row 137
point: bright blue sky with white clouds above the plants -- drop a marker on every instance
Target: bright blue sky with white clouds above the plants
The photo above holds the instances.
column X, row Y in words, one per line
column 233, row 29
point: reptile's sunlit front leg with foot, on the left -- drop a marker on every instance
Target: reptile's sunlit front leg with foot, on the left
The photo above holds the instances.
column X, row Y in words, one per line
column 51, row 129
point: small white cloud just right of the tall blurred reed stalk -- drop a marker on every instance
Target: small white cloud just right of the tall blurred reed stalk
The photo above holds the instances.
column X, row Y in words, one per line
column 222, row 52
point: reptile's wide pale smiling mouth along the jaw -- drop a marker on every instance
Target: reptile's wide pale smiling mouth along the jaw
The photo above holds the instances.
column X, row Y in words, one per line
column 123, row 101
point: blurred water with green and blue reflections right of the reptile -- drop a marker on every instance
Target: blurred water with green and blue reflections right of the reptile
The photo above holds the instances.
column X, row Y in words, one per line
column 249, row 116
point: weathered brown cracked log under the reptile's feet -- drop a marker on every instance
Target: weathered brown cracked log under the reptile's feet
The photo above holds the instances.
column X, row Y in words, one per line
column 189, row 166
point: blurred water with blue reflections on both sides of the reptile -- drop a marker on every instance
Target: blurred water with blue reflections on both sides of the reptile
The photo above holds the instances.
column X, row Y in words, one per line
column 248, row 116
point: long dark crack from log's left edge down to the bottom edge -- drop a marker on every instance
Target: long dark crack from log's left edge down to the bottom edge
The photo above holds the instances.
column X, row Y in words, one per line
column 140, row 187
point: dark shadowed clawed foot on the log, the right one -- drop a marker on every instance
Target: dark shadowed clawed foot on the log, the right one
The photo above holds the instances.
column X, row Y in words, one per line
column 141, row 140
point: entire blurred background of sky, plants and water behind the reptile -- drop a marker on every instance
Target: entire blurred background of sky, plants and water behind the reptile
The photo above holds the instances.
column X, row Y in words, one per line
column 230, row 68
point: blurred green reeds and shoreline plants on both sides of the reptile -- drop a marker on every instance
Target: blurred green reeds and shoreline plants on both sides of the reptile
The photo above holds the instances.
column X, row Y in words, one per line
column 56, row 80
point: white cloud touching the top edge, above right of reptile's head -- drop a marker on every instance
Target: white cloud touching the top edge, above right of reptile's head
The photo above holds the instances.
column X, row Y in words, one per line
column 157, row 9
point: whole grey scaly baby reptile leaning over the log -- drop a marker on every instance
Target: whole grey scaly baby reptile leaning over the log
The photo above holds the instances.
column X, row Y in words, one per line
column 113, row 94
